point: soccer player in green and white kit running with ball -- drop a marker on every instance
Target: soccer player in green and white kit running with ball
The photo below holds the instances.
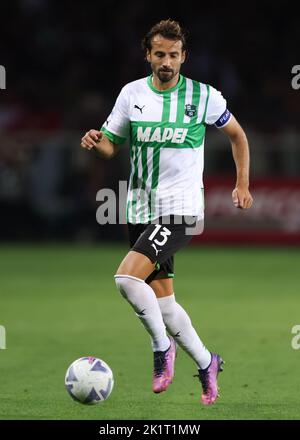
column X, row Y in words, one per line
column 164, row 117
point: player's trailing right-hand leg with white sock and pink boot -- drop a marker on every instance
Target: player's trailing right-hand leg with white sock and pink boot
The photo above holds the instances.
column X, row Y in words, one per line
column 179, row 325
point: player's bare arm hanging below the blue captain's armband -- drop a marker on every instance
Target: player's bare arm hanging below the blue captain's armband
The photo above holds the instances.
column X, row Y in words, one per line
column 240, row 195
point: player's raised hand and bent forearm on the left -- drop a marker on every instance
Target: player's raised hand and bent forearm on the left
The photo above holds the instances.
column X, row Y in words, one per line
column 97, row 140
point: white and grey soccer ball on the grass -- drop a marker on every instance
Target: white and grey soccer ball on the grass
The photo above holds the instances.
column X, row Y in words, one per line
column 89, row 380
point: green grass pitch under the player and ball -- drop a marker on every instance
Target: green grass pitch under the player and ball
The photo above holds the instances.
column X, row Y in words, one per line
column 59, row 303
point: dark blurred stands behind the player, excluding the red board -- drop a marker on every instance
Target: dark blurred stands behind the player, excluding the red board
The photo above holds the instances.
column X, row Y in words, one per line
column 66, row 63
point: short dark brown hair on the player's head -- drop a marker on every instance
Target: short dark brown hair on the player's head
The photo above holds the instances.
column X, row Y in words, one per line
column 169, row 29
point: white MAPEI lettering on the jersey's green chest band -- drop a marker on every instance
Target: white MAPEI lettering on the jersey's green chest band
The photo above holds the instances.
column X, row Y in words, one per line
column 159, row 134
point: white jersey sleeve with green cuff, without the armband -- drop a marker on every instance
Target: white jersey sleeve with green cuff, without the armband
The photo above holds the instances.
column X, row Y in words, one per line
column 116, row 126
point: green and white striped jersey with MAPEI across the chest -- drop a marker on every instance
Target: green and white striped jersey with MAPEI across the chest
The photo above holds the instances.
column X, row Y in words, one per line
column 166, row 130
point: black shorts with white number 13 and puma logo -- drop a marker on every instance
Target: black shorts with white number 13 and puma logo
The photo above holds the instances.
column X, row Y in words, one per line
column 159, row 241
